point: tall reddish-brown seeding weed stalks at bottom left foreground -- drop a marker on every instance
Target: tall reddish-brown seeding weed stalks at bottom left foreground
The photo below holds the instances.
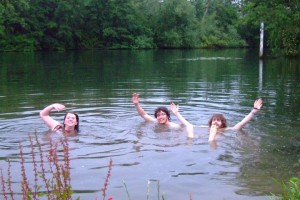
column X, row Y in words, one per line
column 51, row 173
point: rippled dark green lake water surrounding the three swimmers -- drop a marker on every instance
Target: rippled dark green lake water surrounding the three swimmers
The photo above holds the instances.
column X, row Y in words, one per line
column 98, row 86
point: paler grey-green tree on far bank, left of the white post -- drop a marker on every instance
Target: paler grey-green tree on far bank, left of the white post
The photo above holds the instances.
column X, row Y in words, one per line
column 218, row 21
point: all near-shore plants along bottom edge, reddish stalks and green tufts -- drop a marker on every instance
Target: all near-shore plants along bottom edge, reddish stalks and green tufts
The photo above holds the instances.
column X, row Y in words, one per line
column 52, row 176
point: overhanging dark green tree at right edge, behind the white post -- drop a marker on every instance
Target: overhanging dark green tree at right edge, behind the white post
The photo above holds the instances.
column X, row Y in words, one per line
column 282, row 22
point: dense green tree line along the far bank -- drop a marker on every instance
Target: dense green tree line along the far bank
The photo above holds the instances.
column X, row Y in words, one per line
column 34, row 25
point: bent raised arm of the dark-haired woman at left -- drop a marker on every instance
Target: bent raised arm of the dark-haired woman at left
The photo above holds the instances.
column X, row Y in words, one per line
column 44, row 114
